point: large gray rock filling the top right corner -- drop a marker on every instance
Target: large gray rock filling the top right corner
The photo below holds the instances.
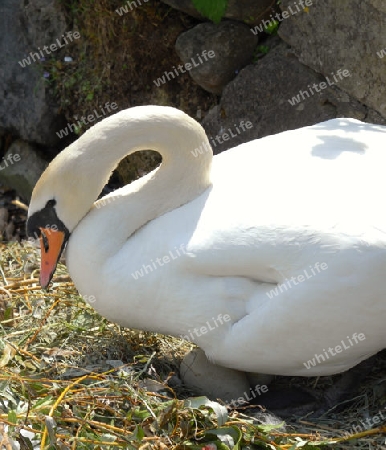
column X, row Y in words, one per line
column 350, row 37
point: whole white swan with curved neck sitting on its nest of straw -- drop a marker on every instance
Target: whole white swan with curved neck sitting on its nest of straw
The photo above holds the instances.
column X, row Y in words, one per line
column 267, row 257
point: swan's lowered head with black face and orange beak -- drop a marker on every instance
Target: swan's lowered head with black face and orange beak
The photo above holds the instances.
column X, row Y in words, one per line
column 61, row 198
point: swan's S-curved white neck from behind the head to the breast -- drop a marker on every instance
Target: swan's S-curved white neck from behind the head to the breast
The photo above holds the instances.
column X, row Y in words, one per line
column 103, row 250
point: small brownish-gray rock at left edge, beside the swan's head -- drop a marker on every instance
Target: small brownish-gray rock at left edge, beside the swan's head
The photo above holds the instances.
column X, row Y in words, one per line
column 21, row 167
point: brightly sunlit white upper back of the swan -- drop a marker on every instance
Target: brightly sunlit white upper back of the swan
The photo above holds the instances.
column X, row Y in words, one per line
column 329, row 172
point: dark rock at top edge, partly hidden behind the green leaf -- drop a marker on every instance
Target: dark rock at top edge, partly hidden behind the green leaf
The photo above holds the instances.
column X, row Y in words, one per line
column 248, row 11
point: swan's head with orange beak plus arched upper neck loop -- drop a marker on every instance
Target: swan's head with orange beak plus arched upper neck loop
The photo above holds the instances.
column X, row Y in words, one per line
column 68, row 188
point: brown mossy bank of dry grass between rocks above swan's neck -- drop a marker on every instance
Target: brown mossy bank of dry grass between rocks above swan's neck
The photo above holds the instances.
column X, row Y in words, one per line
column 118, row 58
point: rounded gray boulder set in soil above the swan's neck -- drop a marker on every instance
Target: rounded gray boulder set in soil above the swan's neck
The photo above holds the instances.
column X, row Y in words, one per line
column 232, row 44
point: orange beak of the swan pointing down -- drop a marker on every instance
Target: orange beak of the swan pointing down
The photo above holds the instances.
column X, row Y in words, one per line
column 51, row 245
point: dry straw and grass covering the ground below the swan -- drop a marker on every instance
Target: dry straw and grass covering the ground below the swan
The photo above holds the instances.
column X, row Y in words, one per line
column 80, row 382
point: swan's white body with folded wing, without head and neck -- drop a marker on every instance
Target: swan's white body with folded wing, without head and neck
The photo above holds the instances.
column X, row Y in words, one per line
column 277, row 206
